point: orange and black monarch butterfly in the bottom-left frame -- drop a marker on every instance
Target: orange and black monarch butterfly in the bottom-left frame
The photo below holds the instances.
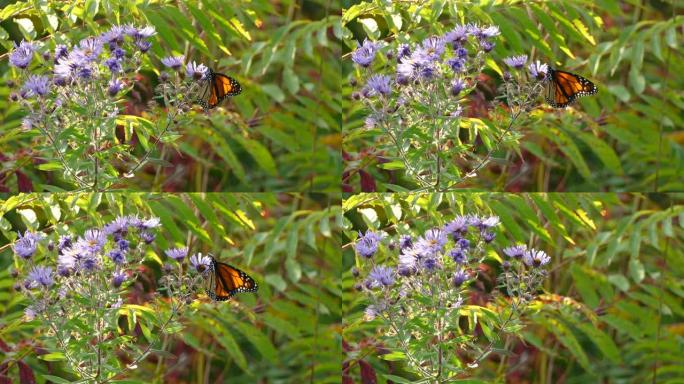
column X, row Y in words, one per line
column 225, row 281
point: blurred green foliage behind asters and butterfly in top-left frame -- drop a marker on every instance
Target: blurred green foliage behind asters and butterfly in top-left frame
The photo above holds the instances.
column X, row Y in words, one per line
column 281, row 134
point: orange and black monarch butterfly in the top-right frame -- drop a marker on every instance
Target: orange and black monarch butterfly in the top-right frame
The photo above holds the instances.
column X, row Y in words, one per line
column 564, row 88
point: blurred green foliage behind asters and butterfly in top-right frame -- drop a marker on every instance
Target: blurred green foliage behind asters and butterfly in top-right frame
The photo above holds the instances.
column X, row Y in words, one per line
column 628, row 137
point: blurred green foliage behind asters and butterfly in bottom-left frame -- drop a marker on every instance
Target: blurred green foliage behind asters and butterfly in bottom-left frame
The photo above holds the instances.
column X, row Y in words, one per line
column 288, row 332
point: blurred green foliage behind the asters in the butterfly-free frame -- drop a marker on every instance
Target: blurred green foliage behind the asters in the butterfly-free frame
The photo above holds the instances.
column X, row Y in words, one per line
column 611, row 310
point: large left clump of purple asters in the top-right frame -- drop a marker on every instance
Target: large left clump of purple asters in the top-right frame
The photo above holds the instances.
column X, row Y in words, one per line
column 422, row 84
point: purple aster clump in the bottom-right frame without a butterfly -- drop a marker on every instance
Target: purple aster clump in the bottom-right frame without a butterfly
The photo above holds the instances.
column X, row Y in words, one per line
column 425, row 277
